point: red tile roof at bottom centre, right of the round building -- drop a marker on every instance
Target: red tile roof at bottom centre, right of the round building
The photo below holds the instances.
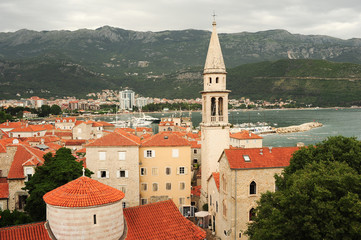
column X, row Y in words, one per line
column 161, row 220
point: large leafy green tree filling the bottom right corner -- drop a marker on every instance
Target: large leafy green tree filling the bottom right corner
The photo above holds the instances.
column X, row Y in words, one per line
column 319, row 195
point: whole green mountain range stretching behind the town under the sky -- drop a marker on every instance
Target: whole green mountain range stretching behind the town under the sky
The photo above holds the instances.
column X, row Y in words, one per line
column 169, row 63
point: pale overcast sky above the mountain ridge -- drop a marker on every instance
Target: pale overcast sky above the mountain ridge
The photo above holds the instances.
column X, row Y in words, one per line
column 337, row 18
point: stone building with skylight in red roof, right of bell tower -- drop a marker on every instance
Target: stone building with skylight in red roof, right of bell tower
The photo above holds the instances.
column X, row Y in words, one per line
column 243, row 175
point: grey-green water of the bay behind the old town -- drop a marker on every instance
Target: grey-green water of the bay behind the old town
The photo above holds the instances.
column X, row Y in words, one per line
column 341, row 121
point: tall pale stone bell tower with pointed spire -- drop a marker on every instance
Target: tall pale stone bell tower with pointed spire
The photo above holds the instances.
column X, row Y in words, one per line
column 214, row 126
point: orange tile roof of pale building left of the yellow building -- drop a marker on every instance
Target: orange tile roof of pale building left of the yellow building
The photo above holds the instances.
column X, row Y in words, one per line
column 115, row 139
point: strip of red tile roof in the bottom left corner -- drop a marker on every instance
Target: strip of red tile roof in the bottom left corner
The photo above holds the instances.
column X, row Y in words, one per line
column 30, row 231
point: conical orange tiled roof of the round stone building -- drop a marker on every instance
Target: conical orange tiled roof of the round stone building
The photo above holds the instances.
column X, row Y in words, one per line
column 83, row 192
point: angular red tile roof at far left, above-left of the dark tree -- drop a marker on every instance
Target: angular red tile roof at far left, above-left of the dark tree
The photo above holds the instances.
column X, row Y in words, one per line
column 24, row 155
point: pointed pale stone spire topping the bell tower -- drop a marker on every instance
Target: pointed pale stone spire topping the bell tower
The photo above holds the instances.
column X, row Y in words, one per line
column 214, row 62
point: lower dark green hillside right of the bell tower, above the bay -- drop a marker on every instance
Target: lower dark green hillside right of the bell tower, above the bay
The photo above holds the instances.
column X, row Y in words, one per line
column 316, row 82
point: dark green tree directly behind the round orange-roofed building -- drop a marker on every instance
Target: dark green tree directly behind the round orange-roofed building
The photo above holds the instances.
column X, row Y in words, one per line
column 56, row 171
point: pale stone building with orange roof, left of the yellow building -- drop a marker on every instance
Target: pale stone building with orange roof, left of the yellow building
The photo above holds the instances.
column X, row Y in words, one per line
column 114, row 159
